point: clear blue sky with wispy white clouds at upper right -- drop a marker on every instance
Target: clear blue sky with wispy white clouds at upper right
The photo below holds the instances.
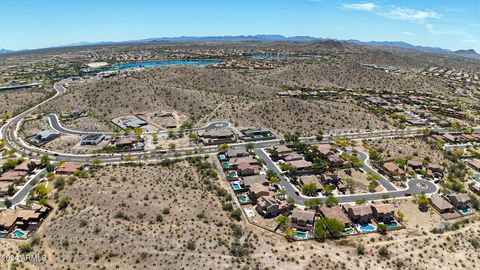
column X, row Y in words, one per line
column 28, row 24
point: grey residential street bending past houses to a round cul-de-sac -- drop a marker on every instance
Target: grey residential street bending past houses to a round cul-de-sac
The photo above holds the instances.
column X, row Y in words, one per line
column 413, row 186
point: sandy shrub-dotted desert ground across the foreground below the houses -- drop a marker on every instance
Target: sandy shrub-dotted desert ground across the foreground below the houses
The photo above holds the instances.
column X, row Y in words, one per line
column 90, row 234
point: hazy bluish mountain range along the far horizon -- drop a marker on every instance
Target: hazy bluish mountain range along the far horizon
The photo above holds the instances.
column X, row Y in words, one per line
column 271, row 38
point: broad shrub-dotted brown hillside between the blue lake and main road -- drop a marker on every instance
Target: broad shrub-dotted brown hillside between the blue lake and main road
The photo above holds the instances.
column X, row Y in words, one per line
column 210, row 94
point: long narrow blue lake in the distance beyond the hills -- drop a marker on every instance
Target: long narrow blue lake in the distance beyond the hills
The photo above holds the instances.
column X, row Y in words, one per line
column 154, row 64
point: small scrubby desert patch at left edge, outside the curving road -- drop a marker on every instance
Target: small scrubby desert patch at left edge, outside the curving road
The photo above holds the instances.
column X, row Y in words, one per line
column 16, row 102
